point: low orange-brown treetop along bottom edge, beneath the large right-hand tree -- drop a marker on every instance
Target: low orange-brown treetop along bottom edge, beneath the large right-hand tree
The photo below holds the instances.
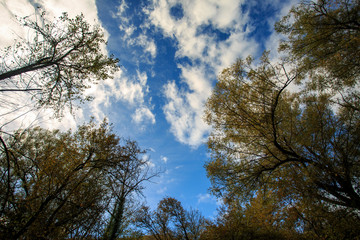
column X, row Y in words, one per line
column 266, row 216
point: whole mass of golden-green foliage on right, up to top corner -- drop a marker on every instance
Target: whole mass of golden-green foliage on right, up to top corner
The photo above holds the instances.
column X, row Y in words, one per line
column 289, row 131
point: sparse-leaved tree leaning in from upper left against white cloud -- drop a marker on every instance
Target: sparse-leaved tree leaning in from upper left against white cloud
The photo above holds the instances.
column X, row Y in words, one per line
column 56, row 63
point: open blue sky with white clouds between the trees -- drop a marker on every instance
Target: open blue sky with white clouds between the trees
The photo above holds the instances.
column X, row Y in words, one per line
column 170, row 53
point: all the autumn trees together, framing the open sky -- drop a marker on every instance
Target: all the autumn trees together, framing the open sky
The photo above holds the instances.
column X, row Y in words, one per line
column 283, row 151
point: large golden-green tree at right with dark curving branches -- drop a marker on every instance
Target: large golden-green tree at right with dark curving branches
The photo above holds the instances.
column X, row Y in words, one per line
column 294, row 145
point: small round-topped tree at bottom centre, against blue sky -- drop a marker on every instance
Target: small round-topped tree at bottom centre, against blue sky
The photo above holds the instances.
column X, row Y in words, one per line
column 171, row 221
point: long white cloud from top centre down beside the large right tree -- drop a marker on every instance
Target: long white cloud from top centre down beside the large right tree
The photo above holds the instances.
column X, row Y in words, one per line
column 184, row 108
